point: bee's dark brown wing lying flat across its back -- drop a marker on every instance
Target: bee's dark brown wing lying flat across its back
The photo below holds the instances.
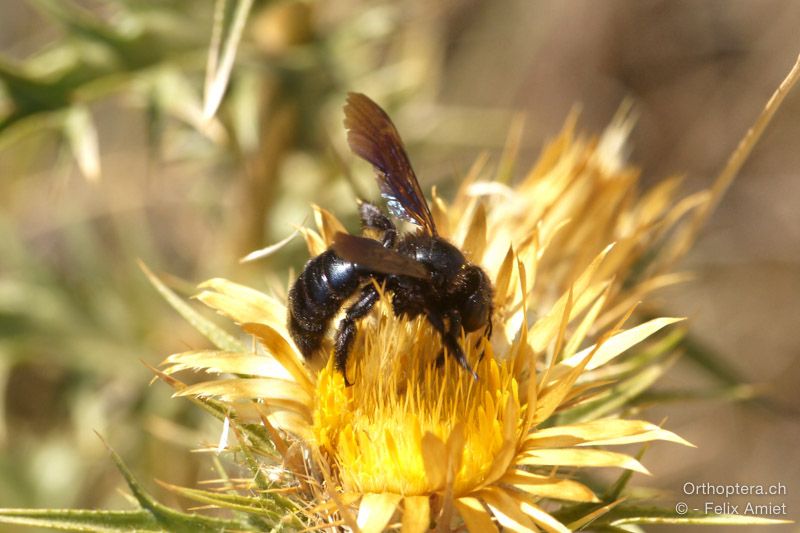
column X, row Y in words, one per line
column 372, row 255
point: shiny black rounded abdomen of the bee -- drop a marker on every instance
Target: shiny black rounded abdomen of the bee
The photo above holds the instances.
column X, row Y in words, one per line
column 317, row 296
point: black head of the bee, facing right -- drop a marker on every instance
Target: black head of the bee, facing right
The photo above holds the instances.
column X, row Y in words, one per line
column 471, row 292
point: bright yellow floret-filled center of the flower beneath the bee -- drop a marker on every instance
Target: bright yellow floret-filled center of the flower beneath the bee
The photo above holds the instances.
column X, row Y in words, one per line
column 409, row 425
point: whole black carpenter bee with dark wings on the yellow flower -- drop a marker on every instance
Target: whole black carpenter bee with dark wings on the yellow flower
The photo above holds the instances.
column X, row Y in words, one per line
column 425, row 274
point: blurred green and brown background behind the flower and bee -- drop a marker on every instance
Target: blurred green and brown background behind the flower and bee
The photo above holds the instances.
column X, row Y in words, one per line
column 105, row 159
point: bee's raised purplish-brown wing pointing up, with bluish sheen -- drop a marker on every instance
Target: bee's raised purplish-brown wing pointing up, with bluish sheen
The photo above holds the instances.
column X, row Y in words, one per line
column 373, row 137
